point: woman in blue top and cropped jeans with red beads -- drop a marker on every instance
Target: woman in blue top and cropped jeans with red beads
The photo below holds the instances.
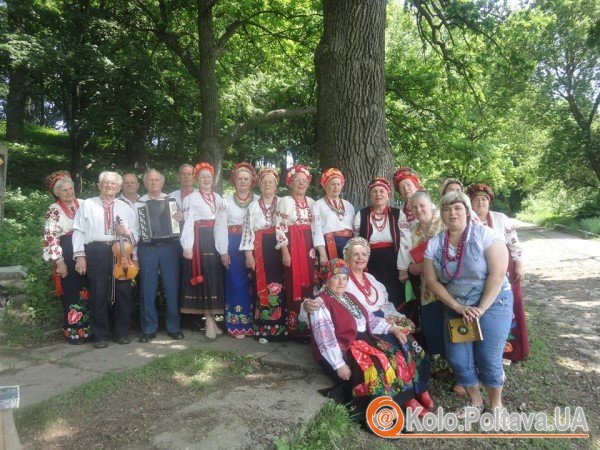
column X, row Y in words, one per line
column 465, row 267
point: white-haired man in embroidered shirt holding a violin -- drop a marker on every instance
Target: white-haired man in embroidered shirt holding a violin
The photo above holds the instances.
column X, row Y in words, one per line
column 105, row 230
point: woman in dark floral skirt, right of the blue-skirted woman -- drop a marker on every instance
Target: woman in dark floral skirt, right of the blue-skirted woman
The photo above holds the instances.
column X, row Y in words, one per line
column 258, row 243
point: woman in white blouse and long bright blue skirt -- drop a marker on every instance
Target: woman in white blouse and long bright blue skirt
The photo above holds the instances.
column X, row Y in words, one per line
column 228, row 236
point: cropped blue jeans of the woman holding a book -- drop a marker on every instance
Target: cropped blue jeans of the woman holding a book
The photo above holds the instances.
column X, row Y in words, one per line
column 481, row 362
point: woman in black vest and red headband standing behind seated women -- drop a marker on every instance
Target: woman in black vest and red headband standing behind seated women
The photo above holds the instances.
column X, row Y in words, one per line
column 380, row 225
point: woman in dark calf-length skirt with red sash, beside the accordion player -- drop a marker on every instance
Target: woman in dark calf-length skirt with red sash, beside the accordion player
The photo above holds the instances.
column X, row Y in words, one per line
column 202, row 280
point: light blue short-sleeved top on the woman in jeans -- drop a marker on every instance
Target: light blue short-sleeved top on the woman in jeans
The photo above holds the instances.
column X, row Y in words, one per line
column 468, row 286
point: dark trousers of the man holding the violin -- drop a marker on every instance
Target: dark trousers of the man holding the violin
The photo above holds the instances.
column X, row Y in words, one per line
column 99, row 270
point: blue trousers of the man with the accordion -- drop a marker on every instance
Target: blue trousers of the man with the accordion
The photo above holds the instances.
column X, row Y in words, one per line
column 165, row 257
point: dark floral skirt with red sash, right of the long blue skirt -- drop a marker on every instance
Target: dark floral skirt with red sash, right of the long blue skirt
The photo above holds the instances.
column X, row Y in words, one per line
column 269, row 312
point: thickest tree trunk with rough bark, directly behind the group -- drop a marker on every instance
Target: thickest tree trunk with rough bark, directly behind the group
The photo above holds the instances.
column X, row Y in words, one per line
column 350, row 66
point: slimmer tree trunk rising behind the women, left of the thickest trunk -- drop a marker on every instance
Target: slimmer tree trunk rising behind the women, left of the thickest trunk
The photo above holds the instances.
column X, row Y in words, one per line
column 210, row 148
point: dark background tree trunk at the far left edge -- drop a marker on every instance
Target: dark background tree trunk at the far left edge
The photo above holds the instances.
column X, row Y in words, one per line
column 15, row 105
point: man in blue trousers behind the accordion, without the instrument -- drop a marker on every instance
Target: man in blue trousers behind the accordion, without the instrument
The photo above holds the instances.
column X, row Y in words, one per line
column 158, row 255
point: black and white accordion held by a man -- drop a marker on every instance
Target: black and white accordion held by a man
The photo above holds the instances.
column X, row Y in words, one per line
column 156, row 221
